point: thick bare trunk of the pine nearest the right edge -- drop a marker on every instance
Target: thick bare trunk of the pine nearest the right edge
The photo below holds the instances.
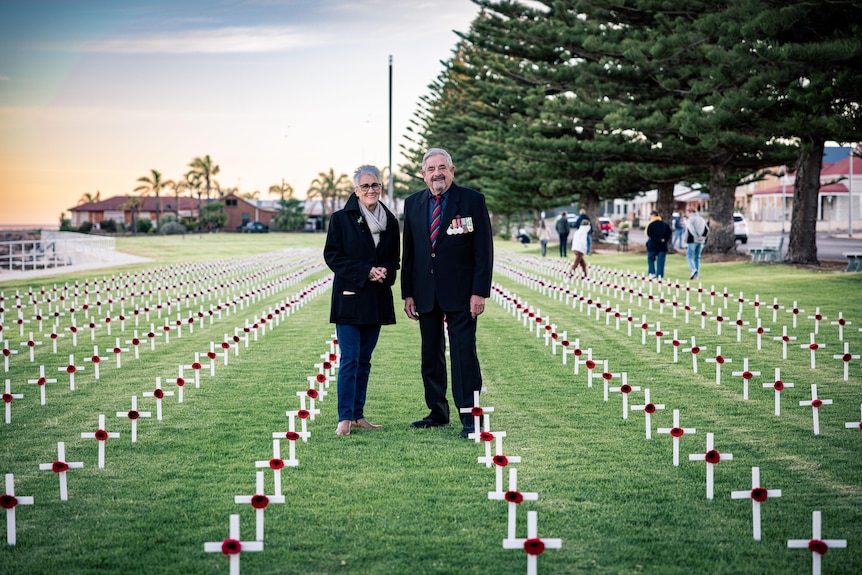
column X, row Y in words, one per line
column 802, row 248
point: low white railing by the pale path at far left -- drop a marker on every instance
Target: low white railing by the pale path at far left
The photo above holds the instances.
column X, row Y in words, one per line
column 54, row 249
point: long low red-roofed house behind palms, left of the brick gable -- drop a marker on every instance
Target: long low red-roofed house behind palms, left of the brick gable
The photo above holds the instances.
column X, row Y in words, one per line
column 117, row 208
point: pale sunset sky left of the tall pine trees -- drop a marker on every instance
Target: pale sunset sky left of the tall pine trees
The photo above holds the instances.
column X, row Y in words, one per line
column 96, row 93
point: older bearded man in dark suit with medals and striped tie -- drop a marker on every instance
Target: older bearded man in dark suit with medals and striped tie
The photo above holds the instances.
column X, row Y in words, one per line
column 447, row 262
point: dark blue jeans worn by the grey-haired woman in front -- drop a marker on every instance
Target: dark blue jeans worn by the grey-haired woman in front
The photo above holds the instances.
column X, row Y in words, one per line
column 357, row 343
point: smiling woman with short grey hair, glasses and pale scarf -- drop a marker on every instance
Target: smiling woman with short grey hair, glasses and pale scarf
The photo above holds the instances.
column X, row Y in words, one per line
column 362, row 249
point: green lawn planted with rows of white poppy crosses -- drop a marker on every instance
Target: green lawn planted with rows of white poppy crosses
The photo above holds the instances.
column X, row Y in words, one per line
column 401, row 500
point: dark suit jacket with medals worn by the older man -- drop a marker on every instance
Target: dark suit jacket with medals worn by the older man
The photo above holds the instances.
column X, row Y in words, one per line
column 461, row 264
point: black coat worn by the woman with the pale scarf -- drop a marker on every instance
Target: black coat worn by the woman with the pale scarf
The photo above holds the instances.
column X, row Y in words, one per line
column 350, row 253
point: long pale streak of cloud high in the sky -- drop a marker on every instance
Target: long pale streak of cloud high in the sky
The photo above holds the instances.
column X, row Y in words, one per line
column 229, row 40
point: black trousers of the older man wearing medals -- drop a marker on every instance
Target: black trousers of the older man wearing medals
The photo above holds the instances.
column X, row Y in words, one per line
column 466, row 375
